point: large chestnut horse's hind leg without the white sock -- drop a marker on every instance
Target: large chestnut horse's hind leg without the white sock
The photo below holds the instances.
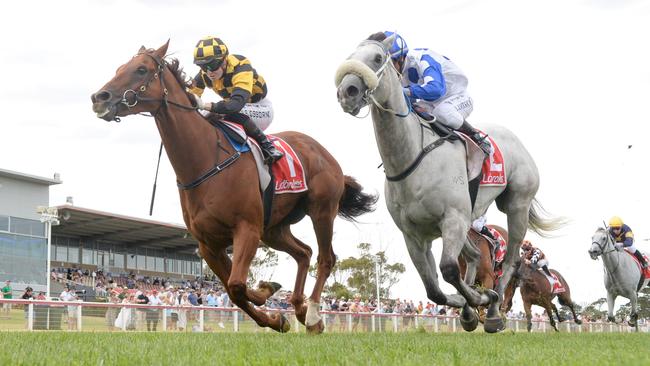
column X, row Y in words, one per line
column 280, row 238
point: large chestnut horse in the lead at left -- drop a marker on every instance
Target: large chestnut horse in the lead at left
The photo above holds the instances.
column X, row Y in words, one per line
column 220, row 192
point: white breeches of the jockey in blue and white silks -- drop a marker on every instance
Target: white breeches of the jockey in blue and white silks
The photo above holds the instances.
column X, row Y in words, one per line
column 450, row 111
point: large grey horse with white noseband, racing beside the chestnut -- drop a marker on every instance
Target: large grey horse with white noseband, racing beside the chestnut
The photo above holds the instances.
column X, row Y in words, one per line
column 432, row 200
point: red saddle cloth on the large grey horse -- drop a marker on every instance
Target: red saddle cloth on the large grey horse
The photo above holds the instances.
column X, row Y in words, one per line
column 493, row 168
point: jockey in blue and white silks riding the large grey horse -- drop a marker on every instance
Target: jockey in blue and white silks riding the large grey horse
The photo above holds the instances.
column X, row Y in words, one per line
column 435, row 86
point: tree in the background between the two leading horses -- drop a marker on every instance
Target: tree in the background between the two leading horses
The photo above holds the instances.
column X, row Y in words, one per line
column 356, row 275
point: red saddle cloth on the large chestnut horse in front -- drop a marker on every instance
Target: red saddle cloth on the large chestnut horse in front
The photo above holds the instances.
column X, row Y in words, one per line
column 288, row 172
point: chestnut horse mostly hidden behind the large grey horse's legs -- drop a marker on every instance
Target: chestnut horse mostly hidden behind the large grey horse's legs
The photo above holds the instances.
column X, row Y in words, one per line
column 485, row 273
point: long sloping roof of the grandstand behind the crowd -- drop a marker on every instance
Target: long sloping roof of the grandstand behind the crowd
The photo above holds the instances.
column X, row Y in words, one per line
column 130, row 231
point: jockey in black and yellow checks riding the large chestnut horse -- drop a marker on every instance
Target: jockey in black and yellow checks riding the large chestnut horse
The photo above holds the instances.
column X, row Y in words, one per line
column 243, row 91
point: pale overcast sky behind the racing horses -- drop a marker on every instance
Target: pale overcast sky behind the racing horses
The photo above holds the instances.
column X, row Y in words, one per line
column 569, row 77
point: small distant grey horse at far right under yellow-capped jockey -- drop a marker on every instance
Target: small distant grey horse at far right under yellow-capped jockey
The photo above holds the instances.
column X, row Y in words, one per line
column 622, row 274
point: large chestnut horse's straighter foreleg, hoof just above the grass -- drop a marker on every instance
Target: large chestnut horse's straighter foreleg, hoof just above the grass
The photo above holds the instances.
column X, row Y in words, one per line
column 245, row 242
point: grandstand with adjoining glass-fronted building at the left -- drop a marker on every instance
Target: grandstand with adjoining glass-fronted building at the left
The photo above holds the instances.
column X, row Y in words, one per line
column 84, row 240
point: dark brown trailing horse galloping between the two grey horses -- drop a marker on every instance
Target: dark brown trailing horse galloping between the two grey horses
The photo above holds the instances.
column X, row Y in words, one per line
column 536, row 290
